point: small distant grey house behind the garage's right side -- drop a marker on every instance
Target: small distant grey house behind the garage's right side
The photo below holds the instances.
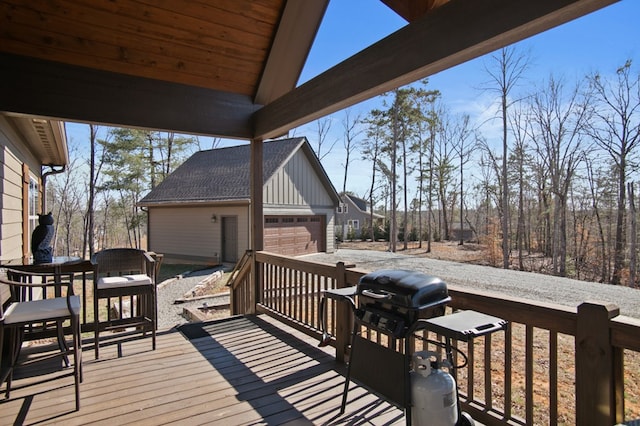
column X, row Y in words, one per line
column 353, row 215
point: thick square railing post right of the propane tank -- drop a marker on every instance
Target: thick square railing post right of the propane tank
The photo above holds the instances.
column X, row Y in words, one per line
column 595, row 365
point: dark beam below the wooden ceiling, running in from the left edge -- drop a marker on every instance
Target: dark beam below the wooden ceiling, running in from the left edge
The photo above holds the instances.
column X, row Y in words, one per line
column 49, row 89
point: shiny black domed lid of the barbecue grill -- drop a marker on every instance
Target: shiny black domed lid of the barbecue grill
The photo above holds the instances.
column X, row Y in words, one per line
column 403, row 288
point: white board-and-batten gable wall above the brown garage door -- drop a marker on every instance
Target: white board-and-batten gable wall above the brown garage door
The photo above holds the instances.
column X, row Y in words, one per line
column 296, row 189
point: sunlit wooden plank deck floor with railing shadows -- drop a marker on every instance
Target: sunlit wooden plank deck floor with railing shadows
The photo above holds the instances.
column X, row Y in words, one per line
column 243, row 371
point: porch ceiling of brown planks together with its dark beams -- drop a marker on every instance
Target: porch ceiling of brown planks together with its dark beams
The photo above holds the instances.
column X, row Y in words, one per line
column 230, row 67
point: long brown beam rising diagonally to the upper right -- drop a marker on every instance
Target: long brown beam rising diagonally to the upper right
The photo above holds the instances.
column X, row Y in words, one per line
column 452, row 34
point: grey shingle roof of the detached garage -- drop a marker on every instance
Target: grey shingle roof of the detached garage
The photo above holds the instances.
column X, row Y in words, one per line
column 220, row 174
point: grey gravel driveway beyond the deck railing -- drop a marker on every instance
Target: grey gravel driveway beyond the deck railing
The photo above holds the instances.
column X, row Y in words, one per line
column 538, row 287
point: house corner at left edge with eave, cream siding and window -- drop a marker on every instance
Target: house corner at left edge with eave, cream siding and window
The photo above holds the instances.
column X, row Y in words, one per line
column 26, row 145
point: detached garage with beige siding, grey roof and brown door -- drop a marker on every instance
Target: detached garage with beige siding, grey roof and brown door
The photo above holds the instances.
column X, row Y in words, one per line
column 201, row 212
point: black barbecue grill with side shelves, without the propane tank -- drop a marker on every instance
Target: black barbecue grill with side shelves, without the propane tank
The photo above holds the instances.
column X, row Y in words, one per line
column 398, row 303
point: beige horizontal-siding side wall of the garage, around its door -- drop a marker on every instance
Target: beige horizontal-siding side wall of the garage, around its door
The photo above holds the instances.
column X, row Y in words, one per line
column 184, row 234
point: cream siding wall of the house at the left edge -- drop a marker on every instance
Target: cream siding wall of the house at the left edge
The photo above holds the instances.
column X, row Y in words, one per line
column 13, row 155
